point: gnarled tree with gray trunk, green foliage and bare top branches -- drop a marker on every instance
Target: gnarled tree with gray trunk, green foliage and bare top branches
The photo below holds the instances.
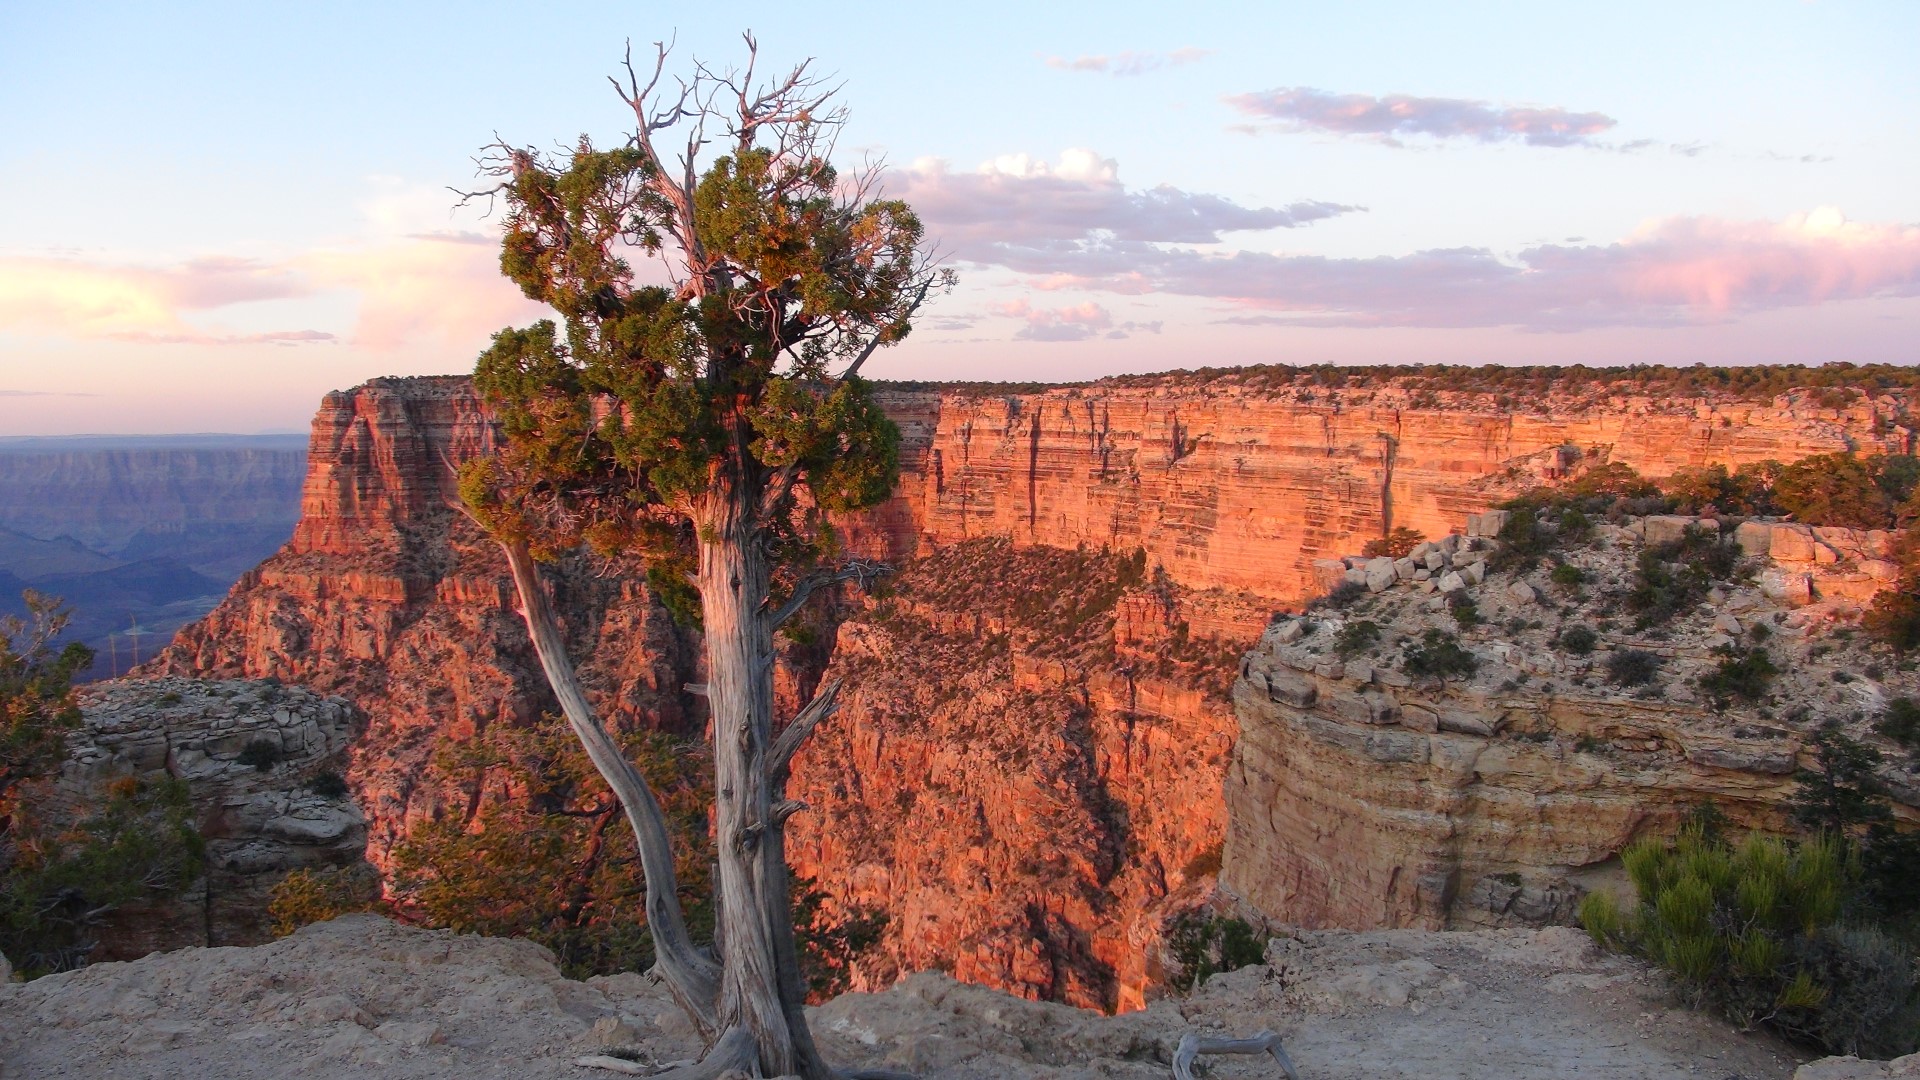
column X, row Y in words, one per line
column 711, row 418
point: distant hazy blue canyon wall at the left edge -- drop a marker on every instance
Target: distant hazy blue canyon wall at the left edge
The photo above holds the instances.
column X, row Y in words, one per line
column 141, row 535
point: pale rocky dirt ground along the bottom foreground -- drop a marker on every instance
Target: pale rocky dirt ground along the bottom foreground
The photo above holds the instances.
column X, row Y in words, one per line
column 368, row 998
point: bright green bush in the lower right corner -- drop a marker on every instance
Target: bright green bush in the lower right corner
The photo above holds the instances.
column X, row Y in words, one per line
column 1756, row 933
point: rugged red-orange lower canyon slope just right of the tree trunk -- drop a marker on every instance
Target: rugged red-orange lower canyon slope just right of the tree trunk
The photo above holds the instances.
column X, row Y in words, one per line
column 1020, row 797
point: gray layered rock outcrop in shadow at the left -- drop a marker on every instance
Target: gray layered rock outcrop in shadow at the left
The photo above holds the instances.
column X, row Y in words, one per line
column 251, row 754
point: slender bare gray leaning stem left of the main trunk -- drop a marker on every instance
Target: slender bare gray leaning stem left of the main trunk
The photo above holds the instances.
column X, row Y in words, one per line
column 688, row 971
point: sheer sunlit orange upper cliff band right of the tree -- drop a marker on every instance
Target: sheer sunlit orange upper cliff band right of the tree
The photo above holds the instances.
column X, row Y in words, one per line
column 1239, row 485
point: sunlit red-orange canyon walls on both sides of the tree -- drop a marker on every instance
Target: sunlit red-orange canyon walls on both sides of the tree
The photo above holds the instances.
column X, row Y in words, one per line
column 1024, row 804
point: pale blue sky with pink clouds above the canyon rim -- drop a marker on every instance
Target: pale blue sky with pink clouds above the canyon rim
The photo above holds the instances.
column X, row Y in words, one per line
column 214, row 214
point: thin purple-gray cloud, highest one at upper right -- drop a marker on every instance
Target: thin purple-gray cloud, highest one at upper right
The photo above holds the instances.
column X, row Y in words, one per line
column 1399, row 116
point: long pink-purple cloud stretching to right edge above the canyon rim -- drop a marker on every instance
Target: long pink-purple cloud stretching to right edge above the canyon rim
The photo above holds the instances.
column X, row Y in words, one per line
column 1669, row 272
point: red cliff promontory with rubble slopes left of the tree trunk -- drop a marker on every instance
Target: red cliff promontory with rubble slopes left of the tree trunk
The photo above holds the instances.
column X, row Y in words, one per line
column 396, row 602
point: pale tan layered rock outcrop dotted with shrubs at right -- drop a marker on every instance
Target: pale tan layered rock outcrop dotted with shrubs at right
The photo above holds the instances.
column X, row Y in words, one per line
column 1368, row 797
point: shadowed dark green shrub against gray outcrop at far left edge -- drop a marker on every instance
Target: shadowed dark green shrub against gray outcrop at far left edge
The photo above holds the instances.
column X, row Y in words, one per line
column 141, row 845
